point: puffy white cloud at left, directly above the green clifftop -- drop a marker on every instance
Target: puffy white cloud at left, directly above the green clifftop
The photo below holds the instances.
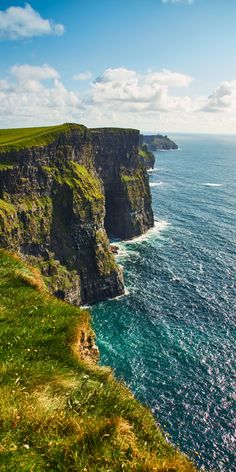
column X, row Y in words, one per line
column 35, row 95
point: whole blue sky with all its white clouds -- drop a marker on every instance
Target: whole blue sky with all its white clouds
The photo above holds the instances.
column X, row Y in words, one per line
column 156, row 65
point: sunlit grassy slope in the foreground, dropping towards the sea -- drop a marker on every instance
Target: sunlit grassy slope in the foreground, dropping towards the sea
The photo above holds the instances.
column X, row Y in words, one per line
column 57, row 412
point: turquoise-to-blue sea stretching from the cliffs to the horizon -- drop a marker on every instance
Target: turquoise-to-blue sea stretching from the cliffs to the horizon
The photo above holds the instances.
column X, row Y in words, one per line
column 172, row 337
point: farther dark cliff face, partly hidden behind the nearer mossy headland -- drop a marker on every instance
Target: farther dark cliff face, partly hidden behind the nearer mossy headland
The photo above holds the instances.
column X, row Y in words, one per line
column 127, row 193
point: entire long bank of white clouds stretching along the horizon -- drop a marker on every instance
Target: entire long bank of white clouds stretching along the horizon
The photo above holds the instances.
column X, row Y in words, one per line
column 36, row 95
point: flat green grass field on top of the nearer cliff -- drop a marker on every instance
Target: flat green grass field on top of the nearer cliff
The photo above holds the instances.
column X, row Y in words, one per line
column 19, row 138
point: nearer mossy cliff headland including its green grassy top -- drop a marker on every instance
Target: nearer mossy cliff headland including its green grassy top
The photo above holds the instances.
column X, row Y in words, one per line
column 52, row 209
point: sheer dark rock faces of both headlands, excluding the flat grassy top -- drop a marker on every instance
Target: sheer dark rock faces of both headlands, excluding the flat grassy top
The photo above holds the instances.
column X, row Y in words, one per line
column 55, row 200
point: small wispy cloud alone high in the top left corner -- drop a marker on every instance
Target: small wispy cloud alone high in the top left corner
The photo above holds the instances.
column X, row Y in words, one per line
column 25, row 22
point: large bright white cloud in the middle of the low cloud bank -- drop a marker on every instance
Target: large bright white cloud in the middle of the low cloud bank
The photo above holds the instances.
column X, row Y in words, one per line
column 141, row 92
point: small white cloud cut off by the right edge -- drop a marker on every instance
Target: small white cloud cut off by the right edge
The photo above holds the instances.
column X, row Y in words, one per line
column 223, row 98
